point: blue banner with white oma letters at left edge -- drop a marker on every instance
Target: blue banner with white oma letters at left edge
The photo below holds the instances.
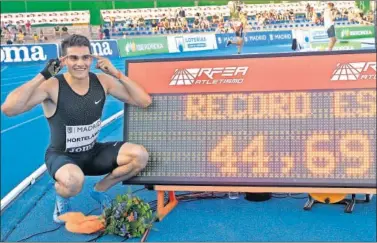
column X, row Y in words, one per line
column 28, row 53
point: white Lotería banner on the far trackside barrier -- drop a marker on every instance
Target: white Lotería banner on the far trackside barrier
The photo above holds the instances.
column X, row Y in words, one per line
column 199, row 42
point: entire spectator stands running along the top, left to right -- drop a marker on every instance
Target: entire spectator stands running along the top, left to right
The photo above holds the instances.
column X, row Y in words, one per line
column 120, row 22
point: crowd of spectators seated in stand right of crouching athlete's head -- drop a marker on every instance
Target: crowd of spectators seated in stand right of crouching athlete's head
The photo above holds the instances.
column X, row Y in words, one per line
column 171, row 23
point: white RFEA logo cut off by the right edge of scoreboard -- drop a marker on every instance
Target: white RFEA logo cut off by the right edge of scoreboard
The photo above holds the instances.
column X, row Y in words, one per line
column 355, row 71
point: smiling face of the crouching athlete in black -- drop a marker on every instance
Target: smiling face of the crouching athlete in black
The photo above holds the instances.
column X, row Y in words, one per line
column 78, row 61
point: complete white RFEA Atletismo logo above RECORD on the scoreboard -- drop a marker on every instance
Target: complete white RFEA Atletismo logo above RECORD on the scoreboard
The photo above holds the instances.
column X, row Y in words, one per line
column 208, row 76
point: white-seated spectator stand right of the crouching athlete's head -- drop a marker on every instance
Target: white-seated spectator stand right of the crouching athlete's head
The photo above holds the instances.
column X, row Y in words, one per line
column 147, row 21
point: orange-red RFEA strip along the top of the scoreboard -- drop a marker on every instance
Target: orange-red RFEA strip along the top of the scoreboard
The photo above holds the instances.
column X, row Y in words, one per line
column 317, row 72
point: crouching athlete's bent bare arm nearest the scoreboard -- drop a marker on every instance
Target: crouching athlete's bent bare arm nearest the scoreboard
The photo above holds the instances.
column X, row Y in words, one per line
column 120, row 86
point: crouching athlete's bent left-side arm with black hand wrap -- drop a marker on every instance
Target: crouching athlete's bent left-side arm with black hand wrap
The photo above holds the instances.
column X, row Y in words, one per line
column 32, row 93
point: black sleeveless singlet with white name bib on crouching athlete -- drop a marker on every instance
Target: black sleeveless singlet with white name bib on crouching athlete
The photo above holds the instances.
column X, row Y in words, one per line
column 76, row 123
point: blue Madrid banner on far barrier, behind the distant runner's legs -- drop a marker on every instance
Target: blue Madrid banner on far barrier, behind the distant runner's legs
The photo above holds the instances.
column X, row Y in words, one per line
column 261, row 38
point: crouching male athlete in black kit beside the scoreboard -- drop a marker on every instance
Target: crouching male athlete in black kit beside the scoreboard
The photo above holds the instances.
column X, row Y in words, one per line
column 73, row 103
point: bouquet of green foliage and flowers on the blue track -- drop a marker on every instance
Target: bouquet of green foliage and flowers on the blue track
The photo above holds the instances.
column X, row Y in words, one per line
column 129, row 216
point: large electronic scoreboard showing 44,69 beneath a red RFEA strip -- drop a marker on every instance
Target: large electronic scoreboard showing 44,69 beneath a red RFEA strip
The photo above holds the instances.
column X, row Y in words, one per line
column 267, row 120
